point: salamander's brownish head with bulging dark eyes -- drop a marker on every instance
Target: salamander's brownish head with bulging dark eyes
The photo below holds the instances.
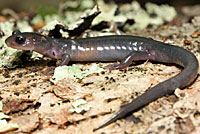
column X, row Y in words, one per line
column 25, row 41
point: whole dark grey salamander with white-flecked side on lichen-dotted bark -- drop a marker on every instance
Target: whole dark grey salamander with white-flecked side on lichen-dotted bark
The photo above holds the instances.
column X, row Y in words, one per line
column 123, row 48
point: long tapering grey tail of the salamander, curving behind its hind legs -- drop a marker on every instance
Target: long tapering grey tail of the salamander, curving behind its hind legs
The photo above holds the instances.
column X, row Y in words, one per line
column 184, row 78
